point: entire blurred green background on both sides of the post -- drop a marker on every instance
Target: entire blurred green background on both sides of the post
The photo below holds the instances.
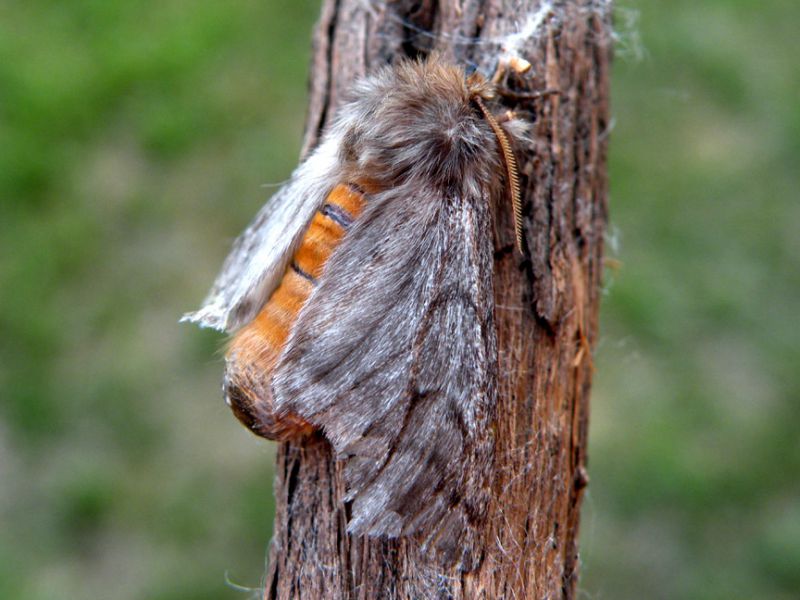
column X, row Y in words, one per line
column 135, row 142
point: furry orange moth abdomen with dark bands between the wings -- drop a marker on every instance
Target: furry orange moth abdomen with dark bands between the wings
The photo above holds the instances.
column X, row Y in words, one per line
column 255, row 349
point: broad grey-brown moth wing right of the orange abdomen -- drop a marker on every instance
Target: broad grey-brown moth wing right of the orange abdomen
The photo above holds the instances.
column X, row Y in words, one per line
column 394, row 357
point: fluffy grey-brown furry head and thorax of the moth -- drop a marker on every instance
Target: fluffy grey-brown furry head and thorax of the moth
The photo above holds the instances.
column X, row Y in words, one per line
column 418, row 121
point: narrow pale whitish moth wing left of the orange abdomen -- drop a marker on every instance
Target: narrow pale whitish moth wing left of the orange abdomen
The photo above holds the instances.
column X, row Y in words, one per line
column 260, row 254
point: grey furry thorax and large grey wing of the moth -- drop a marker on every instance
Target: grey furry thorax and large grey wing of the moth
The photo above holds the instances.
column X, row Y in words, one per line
column 394, row 354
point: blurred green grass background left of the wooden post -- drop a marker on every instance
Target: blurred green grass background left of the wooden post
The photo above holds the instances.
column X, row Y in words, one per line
column 136, row 139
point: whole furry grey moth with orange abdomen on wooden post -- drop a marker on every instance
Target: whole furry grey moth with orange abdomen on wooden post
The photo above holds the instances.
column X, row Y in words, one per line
column 361, row 303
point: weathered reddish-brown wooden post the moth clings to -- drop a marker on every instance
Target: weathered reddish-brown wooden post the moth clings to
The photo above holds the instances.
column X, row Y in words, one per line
column 546, row 312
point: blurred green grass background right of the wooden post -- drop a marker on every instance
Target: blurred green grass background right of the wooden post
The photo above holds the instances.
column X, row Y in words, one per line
column 694, row 450
